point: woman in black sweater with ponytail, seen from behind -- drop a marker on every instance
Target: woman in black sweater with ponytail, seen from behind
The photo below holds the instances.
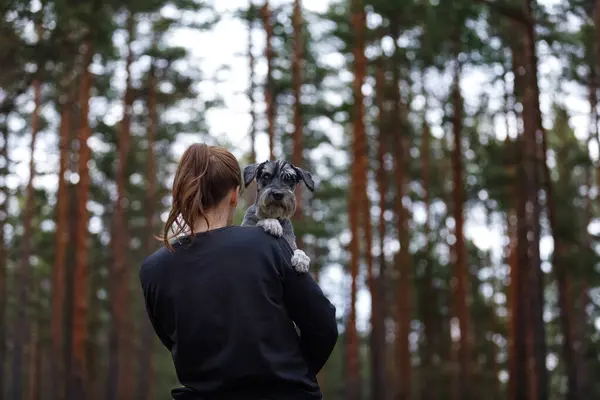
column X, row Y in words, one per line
column 223, row 299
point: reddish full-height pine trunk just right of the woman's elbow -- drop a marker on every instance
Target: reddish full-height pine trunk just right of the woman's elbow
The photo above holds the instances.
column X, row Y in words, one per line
column 354, row 384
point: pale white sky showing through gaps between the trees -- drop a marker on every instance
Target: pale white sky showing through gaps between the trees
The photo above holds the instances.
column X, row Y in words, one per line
column 226, row 45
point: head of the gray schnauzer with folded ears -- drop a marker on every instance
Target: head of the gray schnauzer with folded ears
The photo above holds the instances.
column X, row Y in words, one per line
column 276, row 184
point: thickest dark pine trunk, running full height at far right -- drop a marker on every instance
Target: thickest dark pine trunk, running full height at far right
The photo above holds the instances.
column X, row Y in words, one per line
column 536, row 159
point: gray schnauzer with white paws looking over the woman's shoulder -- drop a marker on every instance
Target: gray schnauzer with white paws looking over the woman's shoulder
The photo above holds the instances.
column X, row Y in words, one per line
column 276, row 202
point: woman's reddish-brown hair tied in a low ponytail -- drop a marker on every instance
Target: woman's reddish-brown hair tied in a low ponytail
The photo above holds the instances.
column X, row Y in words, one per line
column 204, row 176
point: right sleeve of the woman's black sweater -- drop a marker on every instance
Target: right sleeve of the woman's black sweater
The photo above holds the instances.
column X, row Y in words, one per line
column 310, row 309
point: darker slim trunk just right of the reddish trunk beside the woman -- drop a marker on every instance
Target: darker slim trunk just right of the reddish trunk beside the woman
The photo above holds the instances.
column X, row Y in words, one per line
column 378, row 379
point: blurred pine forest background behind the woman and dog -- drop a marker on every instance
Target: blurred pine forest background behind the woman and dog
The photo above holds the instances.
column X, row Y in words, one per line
column 455, row 146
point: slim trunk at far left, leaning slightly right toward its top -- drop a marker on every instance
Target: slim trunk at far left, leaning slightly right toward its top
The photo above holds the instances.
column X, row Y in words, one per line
column 23, row 276
